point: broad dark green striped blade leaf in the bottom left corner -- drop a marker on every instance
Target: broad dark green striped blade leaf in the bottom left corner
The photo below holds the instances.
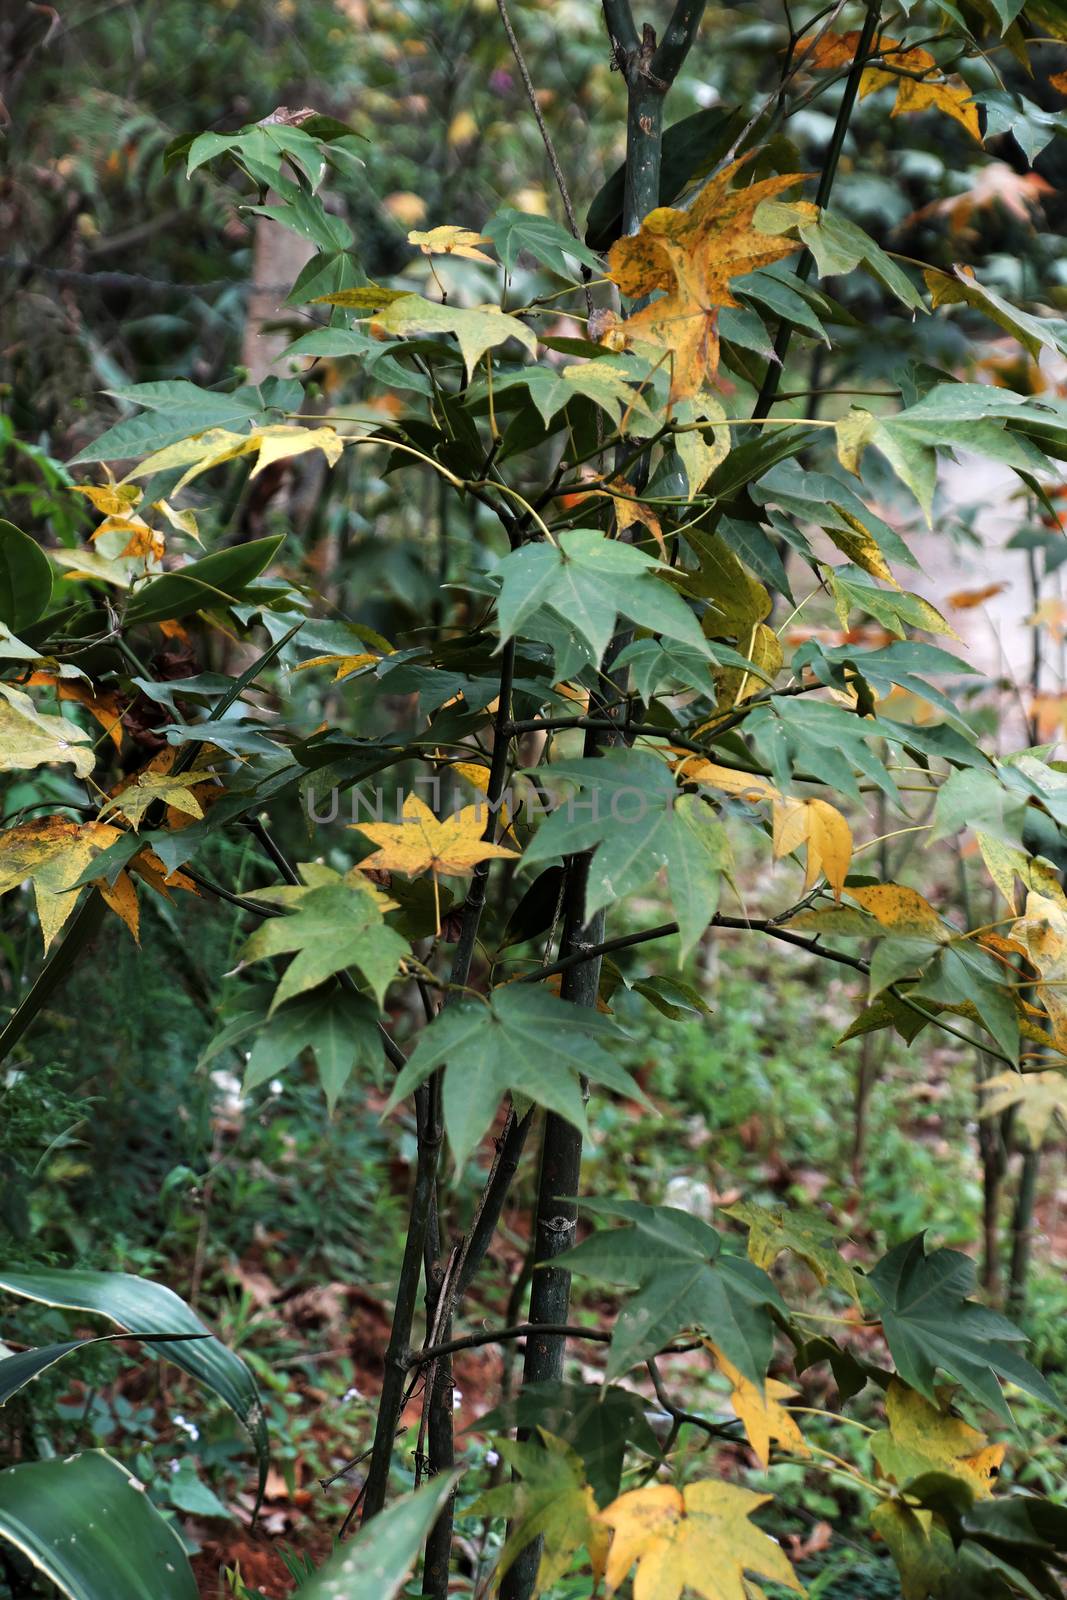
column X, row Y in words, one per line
column 89, row 1527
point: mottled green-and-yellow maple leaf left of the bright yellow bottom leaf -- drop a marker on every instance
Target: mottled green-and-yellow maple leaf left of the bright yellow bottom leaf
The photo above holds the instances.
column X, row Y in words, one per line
column 551, row 1502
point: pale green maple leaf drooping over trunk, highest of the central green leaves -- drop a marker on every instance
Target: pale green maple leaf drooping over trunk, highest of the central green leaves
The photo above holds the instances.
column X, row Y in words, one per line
column 588, row 582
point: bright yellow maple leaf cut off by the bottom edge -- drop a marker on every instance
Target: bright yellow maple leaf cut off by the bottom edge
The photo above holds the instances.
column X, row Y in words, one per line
column 697, row 1538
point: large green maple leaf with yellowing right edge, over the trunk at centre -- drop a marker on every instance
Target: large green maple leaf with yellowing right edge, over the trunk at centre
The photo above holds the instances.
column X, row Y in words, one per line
column 634, row 818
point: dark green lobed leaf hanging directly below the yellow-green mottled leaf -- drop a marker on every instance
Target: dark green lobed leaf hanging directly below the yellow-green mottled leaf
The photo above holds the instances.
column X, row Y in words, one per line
column 340, row 1028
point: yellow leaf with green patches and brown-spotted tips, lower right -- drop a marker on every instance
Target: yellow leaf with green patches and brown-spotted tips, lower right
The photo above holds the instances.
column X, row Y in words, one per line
column 925, row 1438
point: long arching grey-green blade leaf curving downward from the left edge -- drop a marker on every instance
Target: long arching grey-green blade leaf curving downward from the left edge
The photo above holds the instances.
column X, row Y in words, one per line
column 138, row 1305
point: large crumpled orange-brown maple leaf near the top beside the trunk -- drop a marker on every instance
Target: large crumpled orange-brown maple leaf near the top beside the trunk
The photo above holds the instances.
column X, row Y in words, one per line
column 692, row 257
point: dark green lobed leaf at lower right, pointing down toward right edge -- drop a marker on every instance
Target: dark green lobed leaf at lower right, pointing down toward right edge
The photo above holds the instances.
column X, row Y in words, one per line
column 932, row 1326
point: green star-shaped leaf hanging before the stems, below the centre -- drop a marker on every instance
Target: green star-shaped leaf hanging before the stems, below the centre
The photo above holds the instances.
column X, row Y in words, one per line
column 522, row 1042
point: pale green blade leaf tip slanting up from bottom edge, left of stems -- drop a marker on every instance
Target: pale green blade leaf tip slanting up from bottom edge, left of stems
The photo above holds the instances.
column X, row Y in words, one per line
column 377, row 1562
